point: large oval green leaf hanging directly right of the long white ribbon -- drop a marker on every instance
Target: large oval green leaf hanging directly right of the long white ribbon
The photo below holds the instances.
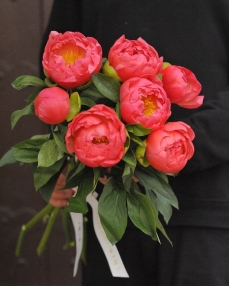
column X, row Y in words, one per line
column 113, row 211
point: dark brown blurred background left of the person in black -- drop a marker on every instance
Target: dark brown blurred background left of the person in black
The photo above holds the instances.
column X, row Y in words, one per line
column 22, row 24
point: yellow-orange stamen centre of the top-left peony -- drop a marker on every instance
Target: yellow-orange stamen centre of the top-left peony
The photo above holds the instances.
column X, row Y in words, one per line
column 71, row 53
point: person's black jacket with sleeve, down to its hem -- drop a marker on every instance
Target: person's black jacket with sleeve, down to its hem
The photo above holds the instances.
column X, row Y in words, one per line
column 190, row 33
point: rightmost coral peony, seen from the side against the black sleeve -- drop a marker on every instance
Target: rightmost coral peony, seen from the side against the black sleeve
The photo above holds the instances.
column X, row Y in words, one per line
column 182, row 87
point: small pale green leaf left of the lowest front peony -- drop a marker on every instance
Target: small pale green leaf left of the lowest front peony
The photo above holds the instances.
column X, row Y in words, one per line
column 49, row 154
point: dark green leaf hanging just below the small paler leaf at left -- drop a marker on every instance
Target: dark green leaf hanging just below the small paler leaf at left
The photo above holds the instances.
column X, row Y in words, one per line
column 42, row 175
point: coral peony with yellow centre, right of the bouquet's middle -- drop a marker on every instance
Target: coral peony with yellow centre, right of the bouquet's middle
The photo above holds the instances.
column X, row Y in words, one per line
column 144, row 102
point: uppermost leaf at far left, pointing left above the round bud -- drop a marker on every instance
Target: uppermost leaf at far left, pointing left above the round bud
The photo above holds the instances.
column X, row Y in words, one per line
column 27, row 80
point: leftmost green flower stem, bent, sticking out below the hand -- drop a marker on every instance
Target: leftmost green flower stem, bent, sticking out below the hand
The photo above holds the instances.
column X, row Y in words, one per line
column 26, row 227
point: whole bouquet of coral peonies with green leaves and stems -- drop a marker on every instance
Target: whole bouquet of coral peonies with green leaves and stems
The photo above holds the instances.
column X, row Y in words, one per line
column 107, row 118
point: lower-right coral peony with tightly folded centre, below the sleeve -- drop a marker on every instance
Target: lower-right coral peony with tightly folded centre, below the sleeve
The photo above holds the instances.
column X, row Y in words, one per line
column 169, row 148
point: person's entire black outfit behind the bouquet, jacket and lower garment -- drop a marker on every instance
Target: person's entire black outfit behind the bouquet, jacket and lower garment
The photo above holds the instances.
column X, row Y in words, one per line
column 194, row 34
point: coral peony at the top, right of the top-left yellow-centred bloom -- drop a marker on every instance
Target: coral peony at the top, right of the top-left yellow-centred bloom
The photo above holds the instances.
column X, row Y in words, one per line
column 133, row 58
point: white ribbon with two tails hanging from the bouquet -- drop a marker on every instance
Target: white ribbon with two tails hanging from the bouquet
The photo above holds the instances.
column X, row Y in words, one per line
column 111, row 252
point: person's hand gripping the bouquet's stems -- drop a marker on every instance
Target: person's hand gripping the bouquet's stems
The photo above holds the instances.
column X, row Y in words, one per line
column 59, row 197
